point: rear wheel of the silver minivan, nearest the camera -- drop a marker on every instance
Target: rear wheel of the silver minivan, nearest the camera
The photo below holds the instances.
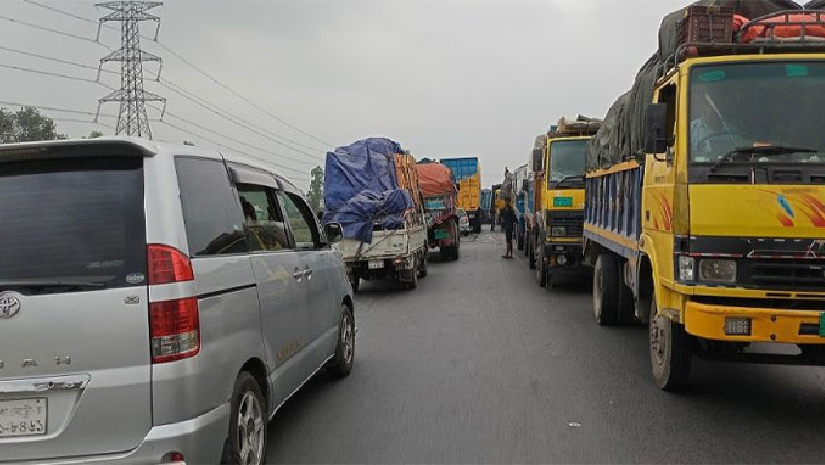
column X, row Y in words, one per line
column 247, row 426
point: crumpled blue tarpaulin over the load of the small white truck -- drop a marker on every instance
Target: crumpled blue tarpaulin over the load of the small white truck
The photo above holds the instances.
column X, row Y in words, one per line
column 361, row 190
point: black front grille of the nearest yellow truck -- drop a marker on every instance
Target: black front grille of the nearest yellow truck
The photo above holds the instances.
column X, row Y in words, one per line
column 788, row 274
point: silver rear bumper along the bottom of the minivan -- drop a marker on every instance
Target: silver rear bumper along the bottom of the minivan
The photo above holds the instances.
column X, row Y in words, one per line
column 200, row 440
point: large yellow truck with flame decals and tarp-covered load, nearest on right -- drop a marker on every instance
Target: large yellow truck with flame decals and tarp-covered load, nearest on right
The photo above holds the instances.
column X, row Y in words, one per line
column 709, row 224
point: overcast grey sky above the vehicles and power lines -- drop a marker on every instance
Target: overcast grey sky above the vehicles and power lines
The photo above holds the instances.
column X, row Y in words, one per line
column 445, row 78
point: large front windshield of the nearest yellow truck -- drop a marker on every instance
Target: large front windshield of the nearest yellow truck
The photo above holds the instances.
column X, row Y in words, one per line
column 757, row 105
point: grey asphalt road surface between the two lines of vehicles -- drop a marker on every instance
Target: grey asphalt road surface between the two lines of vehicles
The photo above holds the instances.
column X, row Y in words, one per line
column 480, row 365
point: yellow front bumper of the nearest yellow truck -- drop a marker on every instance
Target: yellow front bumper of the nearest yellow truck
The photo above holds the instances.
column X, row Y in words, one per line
column 766, row 325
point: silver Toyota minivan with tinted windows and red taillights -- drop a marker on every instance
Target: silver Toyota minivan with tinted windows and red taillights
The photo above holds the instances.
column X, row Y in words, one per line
column 158, row 303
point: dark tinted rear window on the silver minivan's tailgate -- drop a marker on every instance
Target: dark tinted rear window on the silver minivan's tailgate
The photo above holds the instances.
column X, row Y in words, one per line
column 72, row 224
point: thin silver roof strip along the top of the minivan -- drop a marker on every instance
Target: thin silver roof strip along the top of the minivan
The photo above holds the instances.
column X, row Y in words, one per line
column 146, row 148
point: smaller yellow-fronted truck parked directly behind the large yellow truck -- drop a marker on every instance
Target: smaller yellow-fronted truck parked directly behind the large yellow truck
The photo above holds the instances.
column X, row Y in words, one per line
column 555, row 244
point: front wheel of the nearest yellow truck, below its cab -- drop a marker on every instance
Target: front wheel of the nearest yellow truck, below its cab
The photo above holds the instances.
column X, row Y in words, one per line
column 671, row 351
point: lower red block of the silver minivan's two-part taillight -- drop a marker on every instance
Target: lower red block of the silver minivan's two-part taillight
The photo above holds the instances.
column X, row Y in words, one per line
column 174, row 329
